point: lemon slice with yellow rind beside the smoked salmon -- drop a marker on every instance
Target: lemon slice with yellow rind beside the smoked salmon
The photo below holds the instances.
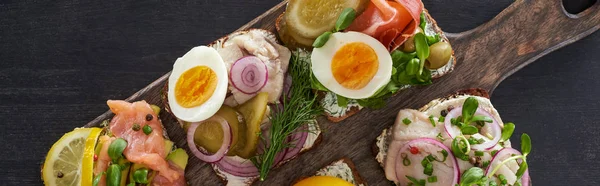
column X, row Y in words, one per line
column 70, row 160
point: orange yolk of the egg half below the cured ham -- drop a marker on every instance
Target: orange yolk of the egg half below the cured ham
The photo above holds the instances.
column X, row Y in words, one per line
column 354, row 65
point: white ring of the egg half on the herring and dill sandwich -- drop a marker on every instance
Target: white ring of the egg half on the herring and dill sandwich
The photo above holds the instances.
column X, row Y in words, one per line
column 199, row 56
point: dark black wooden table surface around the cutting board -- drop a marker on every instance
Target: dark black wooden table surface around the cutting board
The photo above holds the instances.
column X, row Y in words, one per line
column 61, row 60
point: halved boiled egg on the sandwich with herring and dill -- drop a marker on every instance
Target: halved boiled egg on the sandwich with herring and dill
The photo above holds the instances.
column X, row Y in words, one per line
column 197, row 84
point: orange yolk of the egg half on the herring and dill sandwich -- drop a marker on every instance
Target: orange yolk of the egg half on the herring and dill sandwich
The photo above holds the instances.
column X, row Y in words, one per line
column 195, row 86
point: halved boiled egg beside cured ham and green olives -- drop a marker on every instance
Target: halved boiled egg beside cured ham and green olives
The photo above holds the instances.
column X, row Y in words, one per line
column 352, row 65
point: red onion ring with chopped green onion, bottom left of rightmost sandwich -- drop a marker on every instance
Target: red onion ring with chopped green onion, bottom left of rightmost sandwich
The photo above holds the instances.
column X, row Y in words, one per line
column 400, row 175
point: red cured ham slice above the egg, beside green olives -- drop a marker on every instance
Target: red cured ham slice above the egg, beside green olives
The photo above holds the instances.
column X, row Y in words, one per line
column 390, row 22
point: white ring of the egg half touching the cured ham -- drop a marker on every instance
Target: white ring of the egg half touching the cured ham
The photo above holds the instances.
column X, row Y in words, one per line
column 321, row 59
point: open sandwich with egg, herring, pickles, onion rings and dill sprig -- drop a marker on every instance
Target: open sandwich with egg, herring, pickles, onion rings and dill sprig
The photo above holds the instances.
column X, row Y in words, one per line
column 244, row 105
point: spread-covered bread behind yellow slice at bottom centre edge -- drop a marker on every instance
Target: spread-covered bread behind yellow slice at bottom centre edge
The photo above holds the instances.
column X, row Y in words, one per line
column 343, row 168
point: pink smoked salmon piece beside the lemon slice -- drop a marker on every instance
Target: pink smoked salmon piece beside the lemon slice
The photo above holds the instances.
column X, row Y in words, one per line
column 147, row 149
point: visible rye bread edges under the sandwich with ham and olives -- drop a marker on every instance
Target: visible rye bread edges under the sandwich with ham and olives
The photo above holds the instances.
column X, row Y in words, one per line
column 351, row 110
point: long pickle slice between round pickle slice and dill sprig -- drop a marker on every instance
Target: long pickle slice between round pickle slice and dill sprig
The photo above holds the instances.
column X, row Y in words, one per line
column 253, row 111
